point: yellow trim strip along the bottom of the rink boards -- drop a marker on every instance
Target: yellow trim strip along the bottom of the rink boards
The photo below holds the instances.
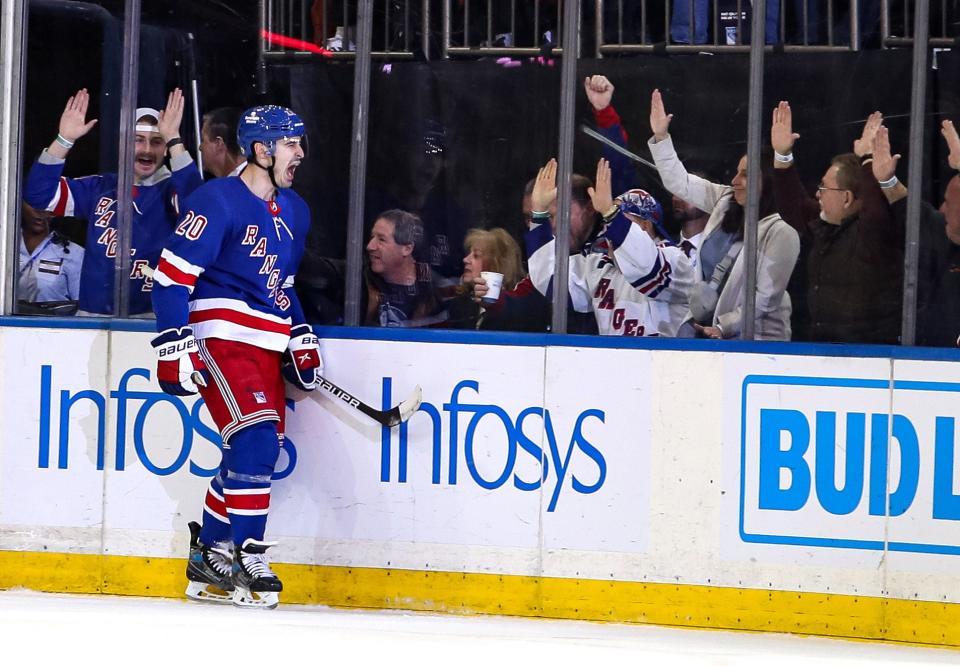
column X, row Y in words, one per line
column 847, row 616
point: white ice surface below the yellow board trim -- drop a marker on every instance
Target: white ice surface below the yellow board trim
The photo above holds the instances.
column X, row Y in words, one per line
column 38, row 628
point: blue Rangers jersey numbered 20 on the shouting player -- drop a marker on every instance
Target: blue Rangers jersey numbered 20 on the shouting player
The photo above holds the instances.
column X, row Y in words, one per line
column 227, row 271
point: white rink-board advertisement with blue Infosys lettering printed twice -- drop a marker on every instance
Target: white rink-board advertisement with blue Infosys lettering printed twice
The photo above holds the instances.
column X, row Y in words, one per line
column 512, row 447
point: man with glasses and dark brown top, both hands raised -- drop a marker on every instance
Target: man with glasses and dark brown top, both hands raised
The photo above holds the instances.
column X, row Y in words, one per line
column 852, row 244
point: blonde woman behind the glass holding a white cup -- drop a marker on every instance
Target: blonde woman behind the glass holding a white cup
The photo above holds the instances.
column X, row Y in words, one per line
column 520, row 306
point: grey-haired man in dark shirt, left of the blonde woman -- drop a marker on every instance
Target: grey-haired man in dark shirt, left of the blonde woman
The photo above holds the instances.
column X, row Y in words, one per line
column 400, row 290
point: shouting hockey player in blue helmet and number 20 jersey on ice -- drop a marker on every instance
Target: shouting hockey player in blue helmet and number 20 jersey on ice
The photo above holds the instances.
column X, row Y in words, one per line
column 227, row 317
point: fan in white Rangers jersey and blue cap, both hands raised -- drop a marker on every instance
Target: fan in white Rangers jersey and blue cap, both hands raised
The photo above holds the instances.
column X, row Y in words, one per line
column 634, row 281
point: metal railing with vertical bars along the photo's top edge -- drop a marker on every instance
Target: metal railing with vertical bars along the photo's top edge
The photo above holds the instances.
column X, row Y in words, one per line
column 485, row 28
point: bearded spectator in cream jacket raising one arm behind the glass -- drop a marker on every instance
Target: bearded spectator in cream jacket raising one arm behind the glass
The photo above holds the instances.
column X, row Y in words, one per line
column 716, row 302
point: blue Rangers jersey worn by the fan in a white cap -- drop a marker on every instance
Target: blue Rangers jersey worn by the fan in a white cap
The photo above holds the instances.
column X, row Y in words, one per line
column 94, row 198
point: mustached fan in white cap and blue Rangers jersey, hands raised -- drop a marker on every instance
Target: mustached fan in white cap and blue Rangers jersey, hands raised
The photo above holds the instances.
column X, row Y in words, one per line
column 94, row 198
